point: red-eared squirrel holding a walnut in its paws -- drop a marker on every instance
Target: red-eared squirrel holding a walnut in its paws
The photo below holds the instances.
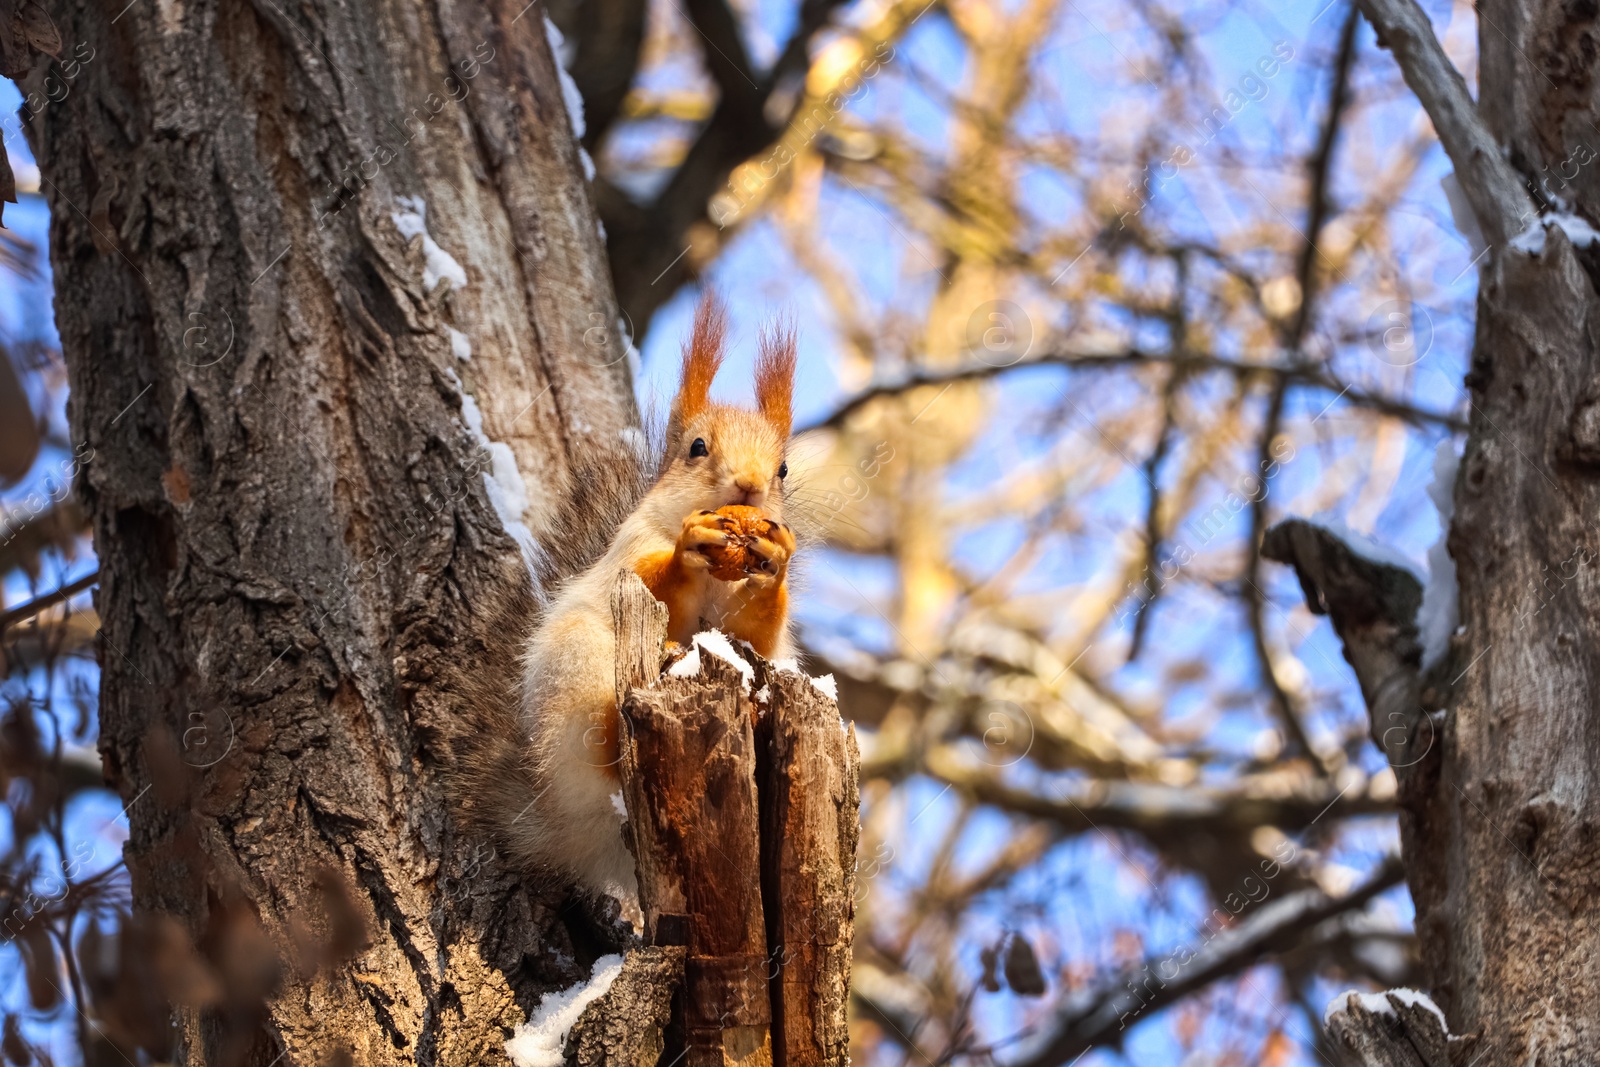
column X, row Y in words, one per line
column 553, row 796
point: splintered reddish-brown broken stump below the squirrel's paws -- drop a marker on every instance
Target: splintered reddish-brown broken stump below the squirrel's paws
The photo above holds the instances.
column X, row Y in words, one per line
column 743, row 820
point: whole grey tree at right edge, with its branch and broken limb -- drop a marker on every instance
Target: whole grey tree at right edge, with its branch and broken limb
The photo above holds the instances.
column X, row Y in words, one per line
column 1502, row 788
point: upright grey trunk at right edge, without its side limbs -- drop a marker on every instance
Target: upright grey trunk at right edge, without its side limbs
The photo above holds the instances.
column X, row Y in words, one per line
column 1511, row 825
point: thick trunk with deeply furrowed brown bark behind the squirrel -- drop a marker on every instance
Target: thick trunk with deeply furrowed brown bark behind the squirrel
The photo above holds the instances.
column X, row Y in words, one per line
column 303, row 535
